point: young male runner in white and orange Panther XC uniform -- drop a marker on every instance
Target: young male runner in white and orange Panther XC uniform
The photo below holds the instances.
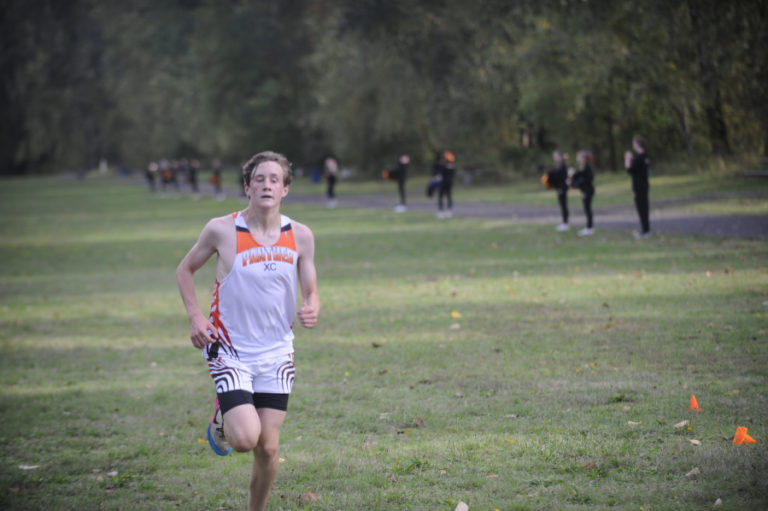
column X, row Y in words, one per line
column 248, row 340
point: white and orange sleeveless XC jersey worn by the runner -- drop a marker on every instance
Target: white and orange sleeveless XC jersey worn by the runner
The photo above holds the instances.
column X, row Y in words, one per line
column 254, row 306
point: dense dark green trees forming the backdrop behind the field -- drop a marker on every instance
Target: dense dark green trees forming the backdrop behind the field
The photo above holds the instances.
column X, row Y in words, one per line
column 491, row 79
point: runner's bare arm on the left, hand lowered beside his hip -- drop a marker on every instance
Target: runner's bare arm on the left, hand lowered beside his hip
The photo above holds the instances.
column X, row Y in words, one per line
column 202, row 331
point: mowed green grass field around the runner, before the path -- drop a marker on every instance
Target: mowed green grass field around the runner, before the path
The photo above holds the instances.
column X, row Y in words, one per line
column 484, row 361
